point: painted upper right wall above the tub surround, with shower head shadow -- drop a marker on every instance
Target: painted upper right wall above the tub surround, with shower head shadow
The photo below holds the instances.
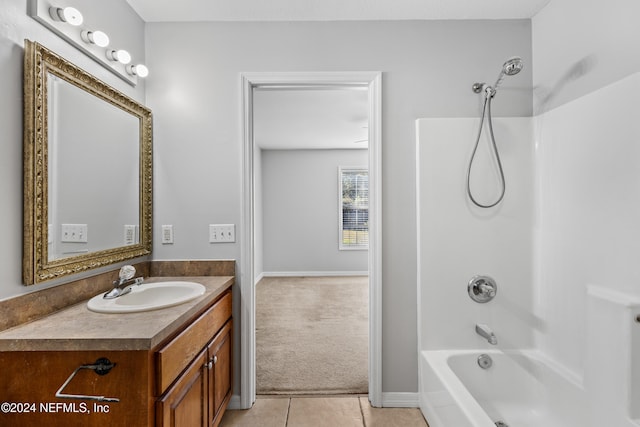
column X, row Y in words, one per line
column 581, row 46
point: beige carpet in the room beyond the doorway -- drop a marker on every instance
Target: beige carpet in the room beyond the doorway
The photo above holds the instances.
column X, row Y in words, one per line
column 312, row 335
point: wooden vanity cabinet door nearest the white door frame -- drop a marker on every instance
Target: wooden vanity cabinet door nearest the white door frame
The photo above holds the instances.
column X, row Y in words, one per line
column 220, row 373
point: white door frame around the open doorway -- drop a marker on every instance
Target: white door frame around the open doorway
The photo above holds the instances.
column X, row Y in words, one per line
column 372, row 80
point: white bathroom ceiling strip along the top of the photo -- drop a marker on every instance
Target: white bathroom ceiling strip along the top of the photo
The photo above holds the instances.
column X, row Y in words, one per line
column 332, row 10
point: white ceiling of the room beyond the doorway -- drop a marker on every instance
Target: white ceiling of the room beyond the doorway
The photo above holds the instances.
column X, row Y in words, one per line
column 286, row 119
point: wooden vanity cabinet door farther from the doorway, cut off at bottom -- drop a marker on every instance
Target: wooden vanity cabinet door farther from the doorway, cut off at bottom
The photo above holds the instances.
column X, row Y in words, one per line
column 185, row 403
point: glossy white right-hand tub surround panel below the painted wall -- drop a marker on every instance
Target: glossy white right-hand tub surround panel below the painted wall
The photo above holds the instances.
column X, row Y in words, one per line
column 588, row 205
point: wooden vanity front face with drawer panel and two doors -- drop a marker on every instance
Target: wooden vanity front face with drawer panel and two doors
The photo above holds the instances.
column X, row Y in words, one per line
column 194, row 371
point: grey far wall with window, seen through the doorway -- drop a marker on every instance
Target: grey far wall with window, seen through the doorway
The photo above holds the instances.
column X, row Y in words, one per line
column 300, row 211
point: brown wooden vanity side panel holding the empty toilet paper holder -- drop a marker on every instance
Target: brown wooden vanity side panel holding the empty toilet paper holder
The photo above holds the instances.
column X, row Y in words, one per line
column 30, row 380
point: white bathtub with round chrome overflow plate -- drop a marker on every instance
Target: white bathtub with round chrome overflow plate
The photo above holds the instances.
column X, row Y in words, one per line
column 519, row 389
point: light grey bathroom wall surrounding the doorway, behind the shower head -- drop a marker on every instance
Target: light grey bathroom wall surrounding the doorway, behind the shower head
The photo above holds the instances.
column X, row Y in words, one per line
column 428, row 69
